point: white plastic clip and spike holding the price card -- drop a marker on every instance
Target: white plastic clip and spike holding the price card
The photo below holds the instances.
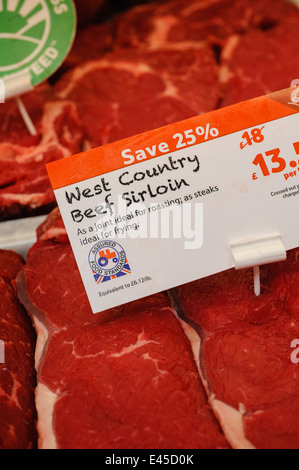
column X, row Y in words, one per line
column 253, row 252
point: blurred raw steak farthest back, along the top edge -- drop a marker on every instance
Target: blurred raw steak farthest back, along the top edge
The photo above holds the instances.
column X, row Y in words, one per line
column 157, row 25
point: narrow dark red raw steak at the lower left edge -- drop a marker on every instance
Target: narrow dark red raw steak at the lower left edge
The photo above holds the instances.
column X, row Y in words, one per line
column 17, row 374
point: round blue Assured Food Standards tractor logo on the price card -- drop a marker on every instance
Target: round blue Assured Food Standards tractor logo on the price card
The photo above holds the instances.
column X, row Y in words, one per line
column 108, row 261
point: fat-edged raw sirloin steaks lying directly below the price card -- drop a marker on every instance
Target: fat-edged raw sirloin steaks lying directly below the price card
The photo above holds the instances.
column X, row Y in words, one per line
column 131, row 378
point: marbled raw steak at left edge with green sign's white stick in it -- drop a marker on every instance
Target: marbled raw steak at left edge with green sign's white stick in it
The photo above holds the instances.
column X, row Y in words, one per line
column 24, row 185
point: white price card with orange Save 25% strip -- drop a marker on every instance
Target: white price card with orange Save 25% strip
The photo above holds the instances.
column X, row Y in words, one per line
column 163, row 208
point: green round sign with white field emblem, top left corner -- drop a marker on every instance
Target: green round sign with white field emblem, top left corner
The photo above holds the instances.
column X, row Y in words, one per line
column 35, row 36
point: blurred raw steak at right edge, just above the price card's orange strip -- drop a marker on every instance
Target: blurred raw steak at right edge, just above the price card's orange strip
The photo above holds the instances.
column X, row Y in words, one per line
column 260, row 62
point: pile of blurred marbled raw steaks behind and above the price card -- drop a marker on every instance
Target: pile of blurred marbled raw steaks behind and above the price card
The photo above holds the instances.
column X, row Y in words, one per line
column 153, row 65
